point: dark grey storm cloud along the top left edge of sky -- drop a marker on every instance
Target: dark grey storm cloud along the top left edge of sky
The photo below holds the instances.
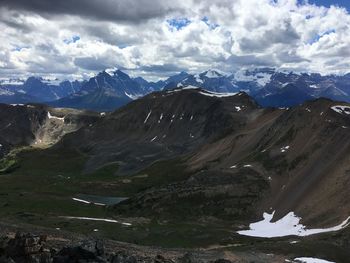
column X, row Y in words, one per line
column 109, row 10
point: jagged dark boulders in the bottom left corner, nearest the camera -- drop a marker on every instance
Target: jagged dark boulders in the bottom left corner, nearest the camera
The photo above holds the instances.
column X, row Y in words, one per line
column 34, row 249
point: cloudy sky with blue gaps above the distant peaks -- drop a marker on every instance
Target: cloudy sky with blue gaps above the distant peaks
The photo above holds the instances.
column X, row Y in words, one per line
column 154, row 39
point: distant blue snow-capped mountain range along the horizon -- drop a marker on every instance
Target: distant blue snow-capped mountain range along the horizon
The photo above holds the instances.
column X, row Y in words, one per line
column 108, row 91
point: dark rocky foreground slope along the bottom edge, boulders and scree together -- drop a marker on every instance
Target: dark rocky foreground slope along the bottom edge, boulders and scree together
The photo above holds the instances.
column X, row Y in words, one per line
column 25, row 247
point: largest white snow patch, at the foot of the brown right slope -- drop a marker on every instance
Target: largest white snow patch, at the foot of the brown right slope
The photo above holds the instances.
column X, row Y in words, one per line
column 289, row 225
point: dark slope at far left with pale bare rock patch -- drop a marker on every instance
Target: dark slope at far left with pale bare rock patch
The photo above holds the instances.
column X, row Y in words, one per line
column 37, row 125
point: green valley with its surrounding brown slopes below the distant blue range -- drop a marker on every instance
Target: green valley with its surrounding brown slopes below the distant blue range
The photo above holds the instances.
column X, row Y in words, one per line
column 192, row 168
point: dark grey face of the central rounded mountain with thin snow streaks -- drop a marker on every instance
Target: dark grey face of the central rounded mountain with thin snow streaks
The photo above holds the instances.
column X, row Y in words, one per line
column 168, row 124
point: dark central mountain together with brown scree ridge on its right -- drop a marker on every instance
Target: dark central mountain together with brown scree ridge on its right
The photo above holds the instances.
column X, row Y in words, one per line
column 241, row 159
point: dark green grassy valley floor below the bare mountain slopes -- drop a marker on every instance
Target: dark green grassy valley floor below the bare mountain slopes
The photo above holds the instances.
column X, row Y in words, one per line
column 37, row 196
